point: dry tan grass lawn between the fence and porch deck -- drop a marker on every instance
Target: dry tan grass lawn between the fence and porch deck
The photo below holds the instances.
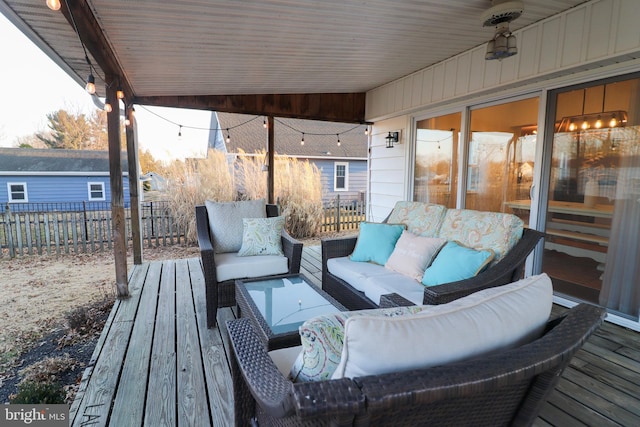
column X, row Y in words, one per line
column 36, row 291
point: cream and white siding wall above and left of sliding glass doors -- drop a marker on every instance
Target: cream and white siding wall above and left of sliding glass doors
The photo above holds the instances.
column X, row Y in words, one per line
column 595, row 40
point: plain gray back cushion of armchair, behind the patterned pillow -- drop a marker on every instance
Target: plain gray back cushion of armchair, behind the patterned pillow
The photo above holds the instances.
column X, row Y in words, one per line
column 225, row 222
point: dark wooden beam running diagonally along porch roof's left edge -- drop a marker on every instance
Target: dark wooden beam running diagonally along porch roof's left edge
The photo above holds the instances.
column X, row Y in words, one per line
column 79, row 15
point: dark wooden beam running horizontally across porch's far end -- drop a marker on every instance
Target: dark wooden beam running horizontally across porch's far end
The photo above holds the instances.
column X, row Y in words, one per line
column 331, row 107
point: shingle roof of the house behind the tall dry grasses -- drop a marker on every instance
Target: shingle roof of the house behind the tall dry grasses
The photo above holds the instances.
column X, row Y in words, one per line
column 320, row 137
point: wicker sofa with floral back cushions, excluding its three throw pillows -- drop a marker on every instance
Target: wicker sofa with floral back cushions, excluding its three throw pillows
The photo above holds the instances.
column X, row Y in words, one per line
column 431, row 220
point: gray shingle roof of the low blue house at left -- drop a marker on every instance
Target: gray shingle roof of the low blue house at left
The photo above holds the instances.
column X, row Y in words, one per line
column 55, row 160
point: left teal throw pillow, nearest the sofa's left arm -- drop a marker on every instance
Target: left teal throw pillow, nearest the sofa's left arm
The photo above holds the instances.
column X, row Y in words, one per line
column 376, row 242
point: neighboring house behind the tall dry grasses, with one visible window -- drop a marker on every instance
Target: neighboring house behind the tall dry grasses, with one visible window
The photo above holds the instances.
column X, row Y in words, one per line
column 343, row 166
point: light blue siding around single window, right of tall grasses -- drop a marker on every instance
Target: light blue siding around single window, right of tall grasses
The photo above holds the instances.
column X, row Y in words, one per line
column 357, row 178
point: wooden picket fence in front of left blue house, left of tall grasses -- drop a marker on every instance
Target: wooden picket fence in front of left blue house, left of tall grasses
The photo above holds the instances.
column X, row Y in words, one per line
column 56, row 228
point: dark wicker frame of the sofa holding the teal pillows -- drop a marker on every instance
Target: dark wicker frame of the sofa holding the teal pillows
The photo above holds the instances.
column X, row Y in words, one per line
column 508, row 270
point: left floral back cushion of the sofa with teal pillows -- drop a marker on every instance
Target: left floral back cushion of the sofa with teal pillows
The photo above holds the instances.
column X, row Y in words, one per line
column 422, row 219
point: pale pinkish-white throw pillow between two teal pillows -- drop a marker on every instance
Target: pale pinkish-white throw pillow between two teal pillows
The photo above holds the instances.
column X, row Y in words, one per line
column 413, row 254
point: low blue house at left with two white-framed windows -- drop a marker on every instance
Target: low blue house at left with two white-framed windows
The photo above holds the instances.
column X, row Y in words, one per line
column 56, row 176
